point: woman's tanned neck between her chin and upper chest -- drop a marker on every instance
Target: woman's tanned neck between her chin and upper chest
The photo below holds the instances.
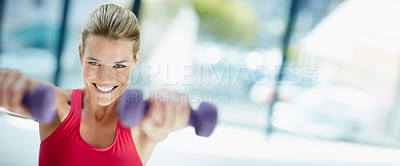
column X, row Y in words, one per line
column 97, row 112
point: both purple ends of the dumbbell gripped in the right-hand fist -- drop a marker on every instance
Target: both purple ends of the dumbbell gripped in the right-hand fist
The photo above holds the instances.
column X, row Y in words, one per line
column 132, row 108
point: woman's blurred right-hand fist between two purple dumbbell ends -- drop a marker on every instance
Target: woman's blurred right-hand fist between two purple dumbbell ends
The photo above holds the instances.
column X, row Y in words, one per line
column 168, row 111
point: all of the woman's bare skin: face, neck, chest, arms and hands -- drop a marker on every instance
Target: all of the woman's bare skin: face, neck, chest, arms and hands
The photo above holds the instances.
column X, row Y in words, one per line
column 107, row 63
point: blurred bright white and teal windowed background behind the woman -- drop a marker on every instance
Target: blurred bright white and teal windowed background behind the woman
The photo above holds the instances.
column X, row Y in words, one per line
column 296, row 82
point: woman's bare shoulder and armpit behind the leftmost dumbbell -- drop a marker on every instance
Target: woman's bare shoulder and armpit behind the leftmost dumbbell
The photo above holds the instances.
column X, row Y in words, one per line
column 63, row 106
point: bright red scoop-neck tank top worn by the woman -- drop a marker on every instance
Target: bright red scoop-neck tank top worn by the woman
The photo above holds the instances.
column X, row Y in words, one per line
column 65, row 146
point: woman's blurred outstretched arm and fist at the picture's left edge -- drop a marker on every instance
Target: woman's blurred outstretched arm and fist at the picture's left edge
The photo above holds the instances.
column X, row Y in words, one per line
column 13, row 87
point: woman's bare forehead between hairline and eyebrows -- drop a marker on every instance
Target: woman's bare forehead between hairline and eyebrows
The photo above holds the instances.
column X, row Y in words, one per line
column 103, row 48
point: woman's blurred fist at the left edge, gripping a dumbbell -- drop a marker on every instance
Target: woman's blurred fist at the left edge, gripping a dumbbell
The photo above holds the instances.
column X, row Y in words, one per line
column 13, row 87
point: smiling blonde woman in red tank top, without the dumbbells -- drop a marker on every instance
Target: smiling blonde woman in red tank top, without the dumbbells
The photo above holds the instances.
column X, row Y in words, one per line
column 87, row 130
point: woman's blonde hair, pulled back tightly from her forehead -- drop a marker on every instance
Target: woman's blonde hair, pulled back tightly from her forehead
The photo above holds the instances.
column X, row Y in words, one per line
column 112, row 22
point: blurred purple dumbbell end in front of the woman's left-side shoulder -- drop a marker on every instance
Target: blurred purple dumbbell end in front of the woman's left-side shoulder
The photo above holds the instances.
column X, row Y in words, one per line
column 41, row 103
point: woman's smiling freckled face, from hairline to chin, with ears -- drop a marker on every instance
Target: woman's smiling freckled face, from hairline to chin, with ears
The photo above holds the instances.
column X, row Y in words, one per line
column 107, row 66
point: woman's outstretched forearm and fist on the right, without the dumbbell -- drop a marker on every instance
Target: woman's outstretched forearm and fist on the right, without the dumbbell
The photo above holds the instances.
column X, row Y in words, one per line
column 168, row 111
